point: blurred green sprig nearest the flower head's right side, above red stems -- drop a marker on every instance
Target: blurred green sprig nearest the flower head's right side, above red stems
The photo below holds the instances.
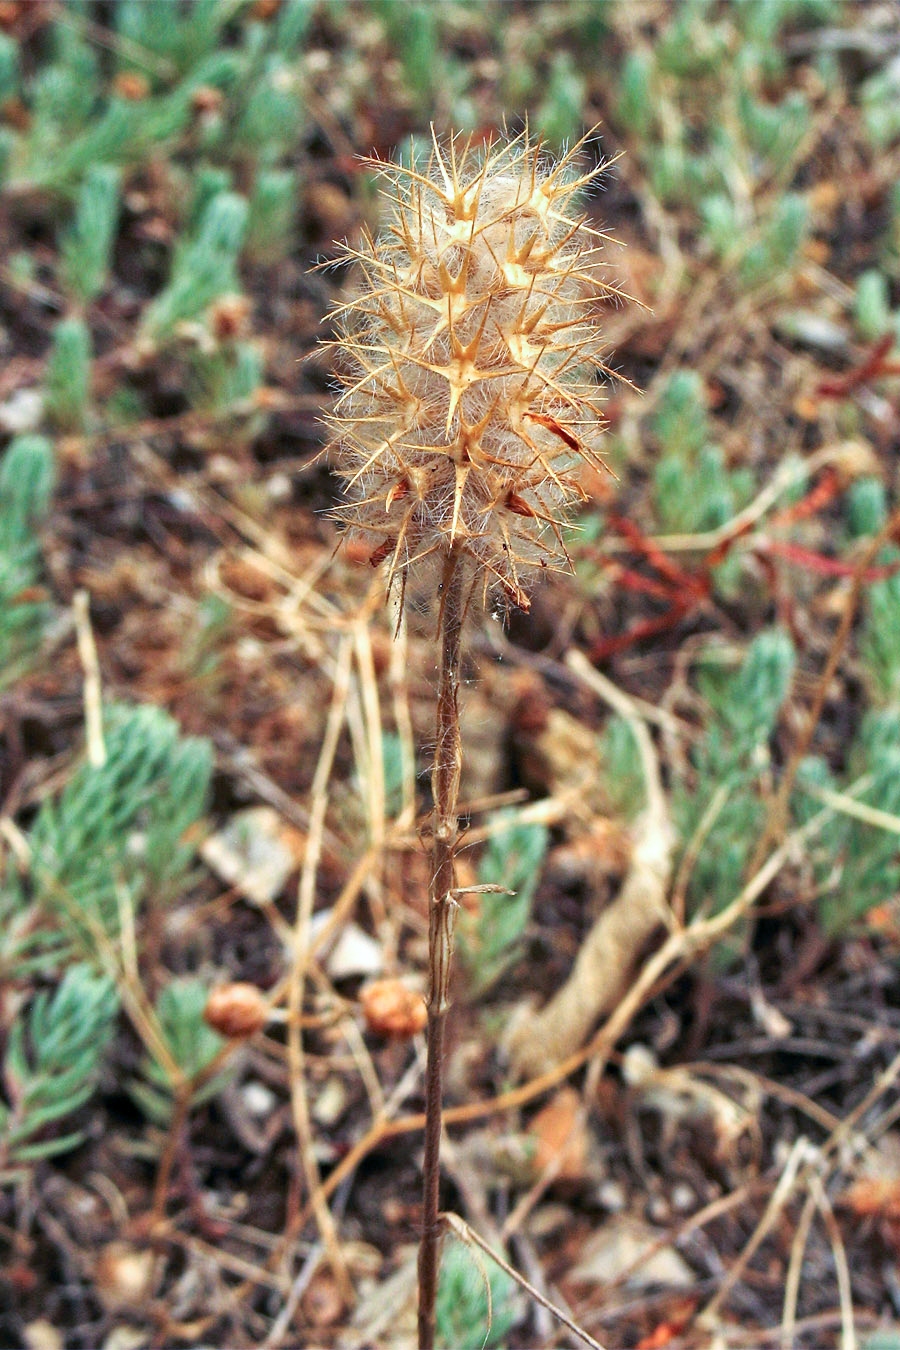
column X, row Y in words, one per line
column 694, row 491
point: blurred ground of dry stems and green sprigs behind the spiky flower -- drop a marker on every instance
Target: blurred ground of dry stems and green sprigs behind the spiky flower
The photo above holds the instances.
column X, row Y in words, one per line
column 674, row 1051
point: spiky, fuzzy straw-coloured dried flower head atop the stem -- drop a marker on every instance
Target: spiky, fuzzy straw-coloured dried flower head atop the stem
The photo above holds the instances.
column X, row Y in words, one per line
column 470, row 361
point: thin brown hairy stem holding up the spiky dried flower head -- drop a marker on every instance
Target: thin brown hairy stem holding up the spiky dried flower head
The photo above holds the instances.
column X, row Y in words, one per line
column 449, row 758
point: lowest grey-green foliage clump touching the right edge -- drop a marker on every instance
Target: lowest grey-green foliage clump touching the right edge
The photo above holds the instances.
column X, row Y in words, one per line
column 857, row 863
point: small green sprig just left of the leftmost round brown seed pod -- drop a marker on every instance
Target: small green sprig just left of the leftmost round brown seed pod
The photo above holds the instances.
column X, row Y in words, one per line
column 192, row 1044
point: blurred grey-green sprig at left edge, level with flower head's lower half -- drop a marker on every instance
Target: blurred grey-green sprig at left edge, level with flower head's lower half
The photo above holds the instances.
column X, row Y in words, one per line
column 28, row 475
